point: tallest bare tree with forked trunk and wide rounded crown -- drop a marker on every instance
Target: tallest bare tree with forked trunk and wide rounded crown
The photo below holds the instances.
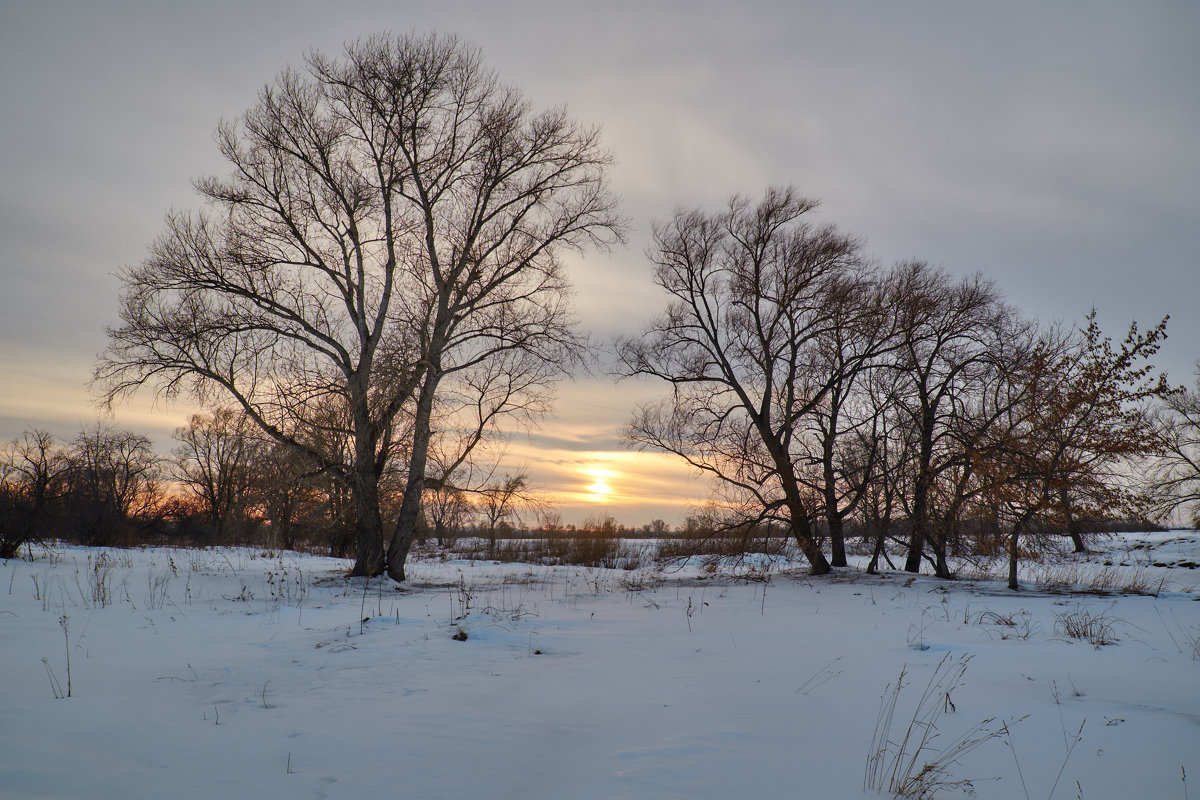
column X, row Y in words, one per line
column 393, row 218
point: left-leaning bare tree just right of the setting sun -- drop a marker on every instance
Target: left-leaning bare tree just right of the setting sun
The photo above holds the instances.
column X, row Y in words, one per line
column 752, row 290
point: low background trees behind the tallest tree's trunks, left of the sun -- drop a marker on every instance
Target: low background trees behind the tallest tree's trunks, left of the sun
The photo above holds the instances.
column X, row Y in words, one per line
column 225, row 483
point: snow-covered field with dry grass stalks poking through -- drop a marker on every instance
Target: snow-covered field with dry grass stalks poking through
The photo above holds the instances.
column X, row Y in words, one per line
column 248, row 675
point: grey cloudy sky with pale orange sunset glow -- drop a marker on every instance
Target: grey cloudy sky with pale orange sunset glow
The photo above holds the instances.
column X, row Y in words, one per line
column 1052, row 147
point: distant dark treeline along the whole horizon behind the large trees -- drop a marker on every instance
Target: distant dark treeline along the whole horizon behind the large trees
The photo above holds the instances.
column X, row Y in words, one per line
column 224, row 486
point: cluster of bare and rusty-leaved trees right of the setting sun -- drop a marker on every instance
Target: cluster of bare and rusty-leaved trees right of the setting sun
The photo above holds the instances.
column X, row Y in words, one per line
column 814, row 384
